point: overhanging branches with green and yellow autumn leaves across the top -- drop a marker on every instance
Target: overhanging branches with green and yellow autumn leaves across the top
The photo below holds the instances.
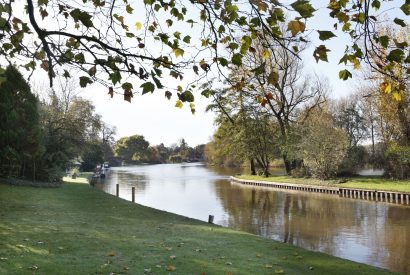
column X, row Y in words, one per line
column 101, row 39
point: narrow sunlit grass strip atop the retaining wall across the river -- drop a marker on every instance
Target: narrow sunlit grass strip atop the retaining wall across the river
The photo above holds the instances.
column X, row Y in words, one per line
column 372, row 183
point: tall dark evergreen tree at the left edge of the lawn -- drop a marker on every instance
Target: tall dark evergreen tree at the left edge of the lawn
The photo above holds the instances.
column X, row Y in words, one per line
column 20, row 144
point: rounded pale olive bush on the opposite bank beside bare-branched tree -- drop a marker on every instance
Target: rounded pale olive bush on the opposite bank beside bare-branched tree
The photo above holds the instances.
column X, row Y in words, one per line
column 324, row 146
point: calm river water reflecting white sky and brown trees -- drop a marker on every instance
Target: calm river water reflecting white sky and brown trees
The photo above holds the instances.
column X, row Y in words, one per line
column 373, row 233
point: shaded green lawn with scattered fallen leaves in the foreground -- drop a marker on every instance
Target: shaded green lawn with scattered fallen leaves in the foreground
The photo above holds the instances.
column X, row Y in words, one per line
column 77, row 229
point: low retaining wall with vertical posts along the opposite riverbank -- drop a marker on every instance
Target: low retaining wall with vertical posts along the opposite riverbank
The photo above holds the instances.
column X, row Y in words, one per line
column 355, row 193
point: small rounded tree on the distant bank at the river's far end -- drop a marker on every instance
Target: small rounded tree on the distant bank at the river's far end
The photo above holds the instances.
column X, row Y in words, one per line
column 133, row 148
